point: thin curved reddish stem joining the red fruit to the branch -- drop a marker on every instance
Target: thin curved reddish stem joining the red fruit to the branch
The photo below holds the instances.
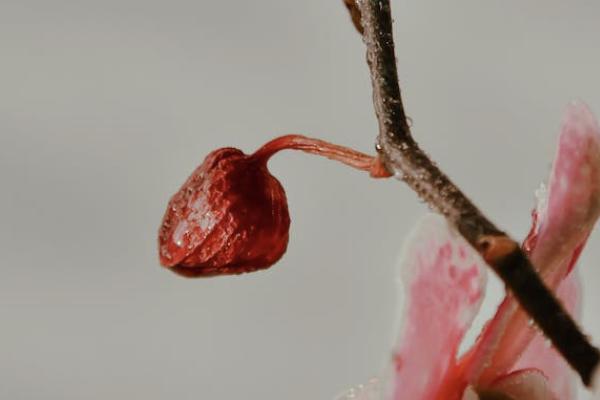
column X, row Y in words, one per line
column 345, row 155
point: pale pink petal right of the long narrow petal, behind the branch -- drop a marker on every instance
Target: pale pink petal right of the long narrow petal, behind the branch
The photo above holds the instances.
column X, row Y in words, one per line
column 541, row 355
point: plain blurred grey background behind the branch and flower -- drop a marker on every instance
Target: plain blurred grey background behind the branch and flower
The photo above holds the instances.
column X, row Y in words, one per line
column 107, row 106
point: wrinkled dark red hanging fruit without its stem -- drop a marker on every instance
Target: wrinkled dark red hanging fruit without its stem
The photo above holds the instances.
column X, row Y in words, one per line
column 229, row 217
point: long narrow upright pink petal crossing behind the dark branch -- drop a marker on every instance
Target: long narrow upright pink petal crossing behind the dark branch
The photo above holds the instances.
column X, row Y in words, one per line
column 565, row 217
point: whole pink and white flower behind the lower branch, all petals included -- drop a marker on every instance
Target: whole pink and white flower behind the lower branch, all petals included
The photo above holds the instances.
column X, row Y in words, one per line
column 444, row 284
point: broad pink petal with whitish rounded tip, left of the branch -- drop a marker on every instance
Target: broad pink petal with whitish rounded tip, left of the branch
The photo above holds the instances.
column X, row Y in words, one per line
column 444, row 283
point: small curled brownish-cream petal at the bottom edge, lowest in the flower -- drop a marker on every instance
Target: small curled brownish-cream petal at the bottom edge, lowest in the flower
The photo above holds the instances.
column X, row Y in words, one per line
column 530, row 384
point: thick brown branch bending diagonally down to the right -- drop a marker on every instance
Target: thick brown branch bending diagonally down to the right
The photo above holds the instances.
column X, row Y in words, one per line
column 403, row 157
